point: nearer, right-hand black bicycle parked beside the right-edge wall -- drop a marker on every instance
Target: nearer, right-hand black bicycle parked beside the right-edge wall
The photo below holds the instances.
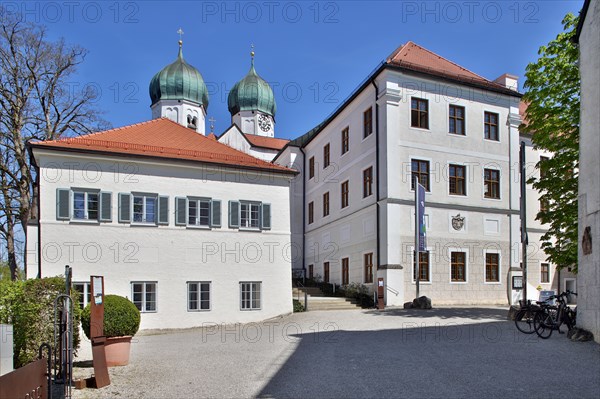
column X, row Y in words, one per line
column 551, row 317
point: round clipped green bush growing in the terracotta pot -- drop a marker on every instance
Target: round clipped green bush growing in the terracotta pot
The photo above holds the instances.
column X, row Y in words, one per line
column 121, row 317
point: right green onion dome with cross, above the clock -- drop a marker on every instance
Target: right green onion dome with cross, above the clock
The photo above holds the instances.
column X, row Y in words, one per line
column 252, row 93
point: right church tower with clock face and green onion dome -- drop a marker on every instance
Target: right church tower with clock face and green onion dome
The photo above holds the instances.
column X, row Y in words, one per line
column 251, row 104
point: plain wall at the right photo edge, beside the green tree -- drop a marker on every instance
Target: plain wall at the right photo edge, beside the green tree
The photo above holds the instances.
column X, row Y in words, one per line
column 589, row 173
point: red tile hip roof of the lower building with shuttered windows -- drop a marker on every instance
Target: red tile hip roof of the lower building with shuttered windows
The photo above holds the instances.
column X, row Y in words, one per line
column 161, row 138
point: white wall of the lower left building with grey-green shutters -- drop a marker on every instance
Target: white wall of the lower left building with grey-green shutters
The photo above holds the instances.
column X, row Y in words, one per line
column 169, row 255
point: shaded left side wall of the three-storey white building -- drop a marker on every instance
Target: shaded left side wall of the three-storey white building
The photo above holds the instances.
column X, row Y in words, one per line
column 351, row 231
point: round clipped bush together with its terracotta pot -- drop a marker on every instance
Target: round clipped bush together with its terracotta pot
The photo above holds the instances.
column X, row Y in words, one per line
column 121, row 323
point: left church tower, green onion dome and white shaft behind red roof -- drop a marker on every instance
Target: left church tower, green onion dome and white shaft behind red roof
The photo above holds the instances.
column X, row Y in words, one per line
column 178, row 92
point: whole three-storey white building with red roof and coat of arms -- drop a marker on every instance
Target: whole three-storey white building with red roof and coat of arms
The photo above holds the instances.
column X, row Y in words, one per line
column 416, row 115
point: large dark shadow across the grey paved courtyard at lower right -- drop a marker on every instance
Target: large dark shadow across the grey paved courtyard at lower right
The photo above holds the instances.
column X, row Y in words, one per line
column 477, row 360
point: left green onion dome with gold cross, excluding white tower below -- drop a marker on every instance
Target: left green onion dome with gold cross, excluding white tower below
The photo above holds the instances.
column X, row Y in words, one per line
column 179, row 81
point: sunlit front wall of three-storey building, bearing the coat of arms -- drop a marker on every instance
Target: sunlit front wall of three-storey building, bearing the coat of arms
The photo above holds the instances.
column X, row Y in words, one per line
column 440, row 148
